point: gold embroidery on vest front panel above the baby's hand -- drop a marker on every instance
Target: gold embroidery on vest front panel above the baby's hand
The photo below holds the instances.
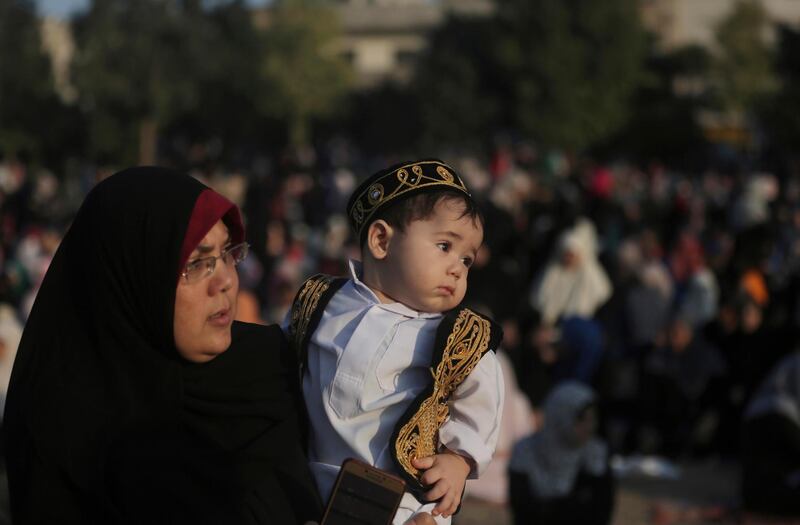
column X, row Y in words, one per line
column 466, row 344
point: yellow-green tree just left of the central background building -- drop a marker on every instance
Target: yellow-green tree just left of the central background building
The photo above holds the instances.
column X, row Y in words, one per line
column 304, row 77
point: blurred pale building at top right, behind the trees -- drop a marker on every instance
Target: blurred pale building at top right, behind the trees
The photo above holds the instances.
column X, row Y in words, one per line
column 683, row 22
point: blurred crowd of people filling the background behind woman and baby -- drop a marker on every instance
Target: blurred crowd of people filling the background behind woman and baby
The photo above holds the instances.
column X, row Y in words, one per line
column 670, row 295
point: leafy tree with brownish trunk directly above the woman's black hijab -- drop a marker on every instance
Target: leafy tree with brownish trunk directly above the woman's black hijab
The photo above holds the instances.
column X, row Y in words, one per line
column 138, row 65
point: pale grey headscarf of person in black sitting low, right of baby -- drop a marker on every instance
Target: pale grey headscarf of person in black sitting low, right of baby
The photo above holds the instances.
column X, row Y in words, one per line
column 550, row 458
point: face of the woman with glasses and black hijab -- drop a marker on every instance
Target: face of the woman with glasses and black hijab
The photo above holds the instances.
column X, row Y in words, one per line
column 205, row 309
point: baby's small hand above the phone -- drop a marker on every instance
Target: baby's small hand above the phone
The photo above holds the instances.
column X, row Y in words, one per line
column 446, row 473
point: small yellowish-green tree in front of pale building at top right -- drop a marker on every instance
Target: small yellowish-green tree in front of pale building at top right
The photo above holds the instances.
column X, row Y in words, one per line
column 743, row 69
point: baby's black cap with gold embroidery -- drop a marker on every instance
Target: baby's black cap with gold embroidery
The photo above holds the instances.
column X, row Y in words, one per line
column 397, row 182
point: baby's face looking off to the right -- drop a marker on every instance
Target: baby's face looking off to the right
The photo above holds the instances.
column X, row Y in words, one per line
column 427, row 264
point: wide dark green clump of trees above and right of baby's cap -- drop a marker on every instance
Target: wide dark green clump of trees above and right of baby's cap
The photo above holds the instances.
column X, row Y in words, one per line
column 561, row 72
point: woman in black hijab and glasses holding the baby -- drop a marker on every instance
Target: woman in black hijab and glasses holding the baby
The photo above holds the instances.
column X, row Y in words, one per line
column 135, row 398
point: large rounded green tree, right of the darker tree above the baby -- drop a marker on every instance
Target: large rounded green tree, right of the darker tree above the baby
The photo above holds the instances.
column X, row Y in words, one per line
column 572, row 66
